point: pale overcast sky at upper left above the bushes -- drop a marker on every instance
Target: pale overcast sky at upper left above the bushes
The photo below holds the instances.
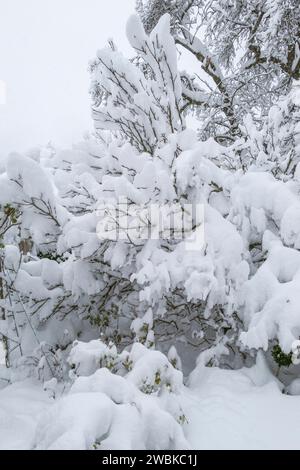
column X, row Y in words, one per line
column 45, row 47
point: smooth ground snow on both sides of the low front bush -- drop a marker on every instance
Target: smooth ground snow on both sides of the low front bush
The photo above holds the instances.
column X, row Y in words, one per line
column 225, row 410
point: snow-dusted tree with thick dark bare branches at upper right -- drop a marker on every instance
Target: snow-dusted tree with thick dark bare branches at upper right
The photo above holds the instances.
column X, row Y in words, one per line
column 247, row 51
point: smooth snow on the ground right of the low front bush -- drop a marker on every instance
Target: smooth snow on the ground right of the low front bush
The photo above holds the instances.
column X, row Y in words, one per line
column 228, row 411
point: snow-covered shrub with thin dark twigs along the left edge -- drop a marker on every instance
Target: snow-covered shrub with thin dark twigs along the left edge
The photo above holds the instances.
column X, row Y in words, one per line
column 35, row 302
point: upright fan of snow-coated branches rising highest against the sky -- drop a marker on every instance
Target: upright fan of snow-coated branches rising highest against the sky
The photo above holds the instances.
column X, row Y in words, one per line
column 145, row 107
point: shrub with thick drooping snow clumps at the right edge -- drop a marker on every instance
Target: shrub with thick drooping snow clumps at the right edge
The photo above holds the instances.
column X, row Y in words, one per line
column 267, row 214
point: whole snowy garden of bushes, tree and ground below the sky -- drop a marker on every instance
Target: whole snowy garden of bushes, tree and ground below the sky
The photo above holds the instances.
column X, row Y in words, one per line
column 113, row 338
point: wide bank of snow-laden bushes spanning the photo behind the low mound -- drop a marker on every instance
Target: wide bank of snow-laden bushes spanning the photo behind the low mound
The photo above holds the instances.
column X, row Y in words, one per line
column 61, row 281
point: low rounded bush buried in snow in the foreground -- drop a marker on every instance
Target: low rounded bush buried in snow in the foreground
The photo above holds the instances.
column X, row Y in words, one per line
column 117, row 401
